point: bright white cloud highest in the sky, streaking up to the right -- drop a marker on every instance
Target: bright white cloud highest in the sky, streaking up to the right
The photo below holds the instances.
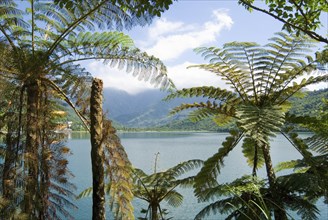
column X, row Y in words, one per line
column 183, row 37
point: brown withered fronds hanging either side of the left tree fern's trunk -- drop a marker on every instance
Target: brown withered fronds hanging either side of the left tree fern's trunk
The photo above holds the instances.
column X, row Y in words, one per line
column 55, row 195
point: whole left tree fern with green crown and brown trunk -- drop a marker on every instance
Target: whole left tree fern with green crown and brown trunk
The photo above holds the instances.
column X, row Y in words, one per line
column 43, row 44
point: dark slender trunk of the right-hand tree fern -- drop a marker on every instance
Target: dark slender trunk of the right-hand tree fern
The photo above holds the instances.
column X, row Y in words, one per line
column 279, row 210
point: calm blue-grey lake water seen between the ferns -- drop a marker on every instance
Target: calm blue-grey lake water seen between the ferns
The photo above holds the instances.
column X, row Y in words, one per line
column 173, row 148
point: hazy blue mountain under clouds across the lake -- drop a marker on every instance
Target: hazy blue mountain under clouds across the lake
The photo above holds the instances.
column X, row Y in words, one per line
column 142, row 110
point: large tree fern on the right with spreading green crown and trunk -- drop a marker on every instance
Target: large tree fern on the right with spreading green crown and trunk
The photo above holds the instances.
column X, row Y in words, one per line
column 262, row 80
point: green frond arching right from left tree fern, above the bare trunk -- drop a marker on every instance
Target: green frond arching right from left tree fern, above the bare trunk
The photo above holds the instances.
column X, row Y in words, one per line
column 118, row 51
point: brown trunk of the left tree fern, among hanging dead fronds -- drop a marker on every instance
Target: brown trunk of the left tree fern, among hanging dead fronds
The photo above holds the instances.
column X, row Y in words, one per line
column 32, row 146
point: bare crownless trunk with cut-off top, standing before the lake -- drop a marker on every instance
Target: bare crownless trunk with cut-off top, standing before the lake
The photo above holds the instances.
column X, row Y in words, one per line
column 96, row 117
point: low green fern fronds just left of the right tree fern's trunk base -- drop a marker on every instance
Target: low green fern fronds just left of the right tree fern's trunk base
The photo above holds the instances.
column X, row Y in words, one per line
column 243, row 199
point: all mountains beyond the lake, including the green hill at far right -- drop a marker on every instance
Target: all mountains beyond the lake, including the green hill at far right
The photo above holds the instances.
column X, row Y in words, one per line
column 148, row 110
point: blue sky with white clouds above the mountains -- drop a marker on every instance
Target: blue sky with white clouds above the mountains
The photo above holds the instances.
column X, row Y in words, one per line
column 189, row 24
